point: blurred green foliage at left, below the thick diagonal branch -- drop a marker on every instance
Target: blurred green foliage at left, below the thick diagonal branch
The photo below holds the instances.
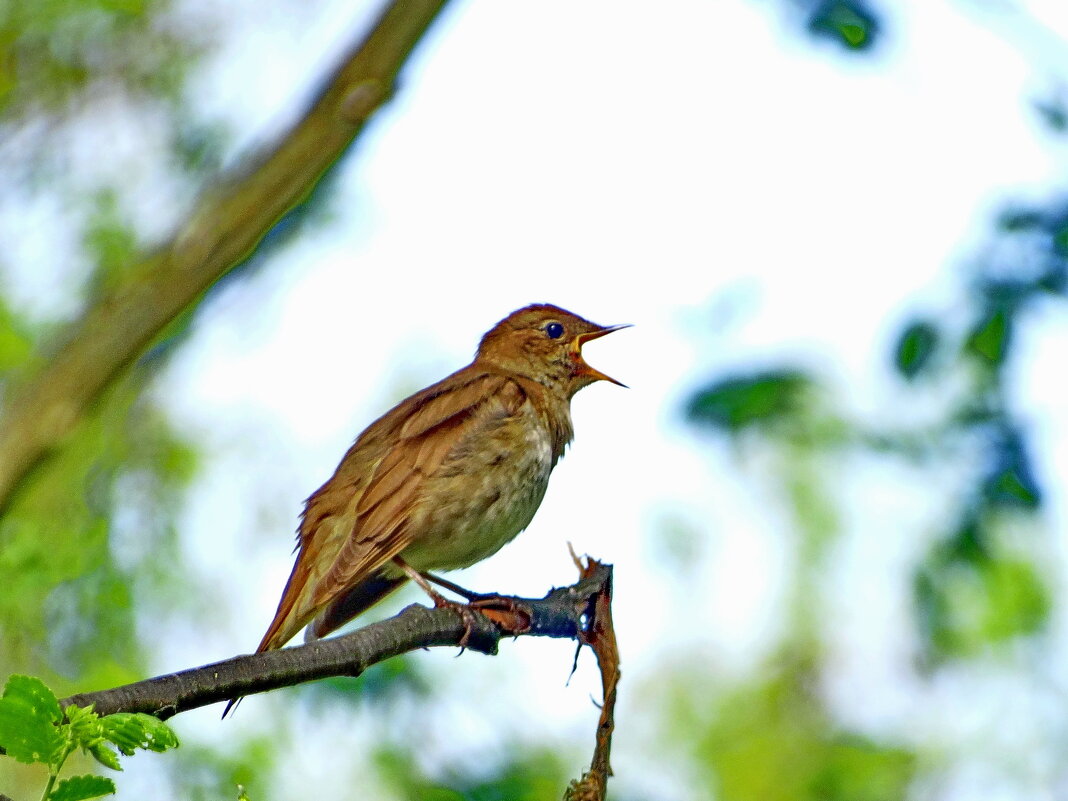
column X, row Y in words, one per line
column 72, row 593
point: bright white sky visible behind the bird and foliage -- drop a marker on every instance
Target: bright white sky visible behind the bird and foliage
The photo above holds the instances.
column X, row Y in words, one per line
column 703, row 171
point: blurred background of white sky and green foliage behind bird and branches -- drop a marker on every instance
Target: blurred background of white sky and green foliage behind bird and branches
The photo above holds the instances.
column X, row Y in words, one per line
column 835, row 495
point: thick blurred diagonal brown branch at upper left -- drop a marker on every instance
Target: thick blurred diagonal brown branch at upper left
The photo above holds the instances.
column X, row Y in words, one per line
column 225, row 230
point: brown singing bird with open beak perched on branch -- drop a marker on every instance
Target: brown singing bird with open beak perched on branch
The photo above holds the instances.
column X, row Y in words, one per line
column 444, row 480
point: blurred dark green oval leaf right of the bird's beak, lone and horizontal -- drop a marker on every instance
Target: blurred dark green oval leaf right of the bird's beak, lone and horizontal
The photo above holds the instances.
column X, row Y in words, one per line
column 740, row 402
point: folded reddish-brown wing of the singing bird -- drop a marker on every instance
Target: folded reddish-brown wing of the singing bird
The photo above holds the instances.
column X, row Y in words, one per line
column 358, row 521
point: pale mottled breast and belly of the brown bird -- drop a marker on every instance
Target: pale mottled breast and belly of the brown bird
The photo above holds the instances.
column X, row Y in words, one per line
column 485, row 493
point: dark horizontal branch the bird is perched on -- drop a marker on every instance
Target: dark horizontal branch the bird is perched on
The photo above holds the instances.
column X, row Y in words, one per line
column 566, row 612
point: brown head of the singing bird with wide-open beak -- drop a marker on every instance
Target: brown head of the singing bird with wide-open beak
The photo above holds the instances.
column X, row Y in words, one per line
column 545, row 343
